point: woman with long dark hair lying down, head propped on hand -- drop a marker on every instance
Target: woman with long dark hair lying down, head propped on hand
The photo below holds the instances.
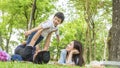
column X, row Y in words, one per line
column 72, row 54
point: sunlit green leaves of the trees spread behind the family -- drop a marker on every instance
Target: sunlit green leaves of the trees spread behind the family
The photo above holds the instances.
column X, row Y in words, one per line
column 16, row 15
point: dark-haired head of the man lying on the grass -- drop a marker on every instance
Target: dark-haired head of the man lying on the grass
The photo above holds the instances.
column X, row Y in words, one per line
column 42, row 57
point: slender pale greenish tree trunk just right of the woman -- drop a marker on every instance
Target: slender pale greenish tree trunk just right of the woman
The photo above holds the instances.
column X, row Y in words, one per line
column 89, row 21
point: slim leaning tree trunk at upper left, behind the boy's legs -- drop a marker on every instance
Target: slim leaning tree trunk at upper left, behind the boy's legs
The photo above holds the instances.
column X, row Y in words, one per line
column 32, row 15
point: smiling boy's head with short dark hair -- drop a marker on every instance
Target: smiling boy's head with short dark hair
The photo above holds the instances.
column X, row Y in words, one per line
column 58, row 18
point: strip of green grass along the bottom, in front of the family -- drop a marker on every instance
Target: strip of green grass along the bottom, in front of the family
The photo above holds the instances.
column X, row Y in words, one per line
column 31, row 65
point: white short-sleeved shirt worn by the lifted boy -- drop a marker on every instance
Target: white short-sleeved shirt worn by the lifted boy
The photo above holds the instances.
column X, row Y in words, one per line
column 48, row 26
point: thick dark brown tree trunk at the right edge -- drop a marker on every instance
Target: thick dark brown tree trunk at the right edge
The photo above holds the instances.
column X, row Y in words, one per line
column 114, row 33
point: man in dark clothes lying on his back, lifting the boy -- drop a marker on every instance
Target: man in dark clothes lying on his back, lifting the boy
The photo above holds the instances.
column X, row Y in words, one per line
column 36, row 56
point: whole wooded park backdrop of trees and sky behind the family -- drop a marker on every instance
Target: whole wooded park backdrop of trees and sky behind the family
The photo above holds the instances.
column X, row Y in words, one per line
column 95, row 23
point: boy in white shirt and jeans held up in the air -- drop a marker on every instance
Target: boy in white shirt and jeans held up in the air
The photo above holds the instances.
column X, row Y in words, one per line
column 37, row 34
